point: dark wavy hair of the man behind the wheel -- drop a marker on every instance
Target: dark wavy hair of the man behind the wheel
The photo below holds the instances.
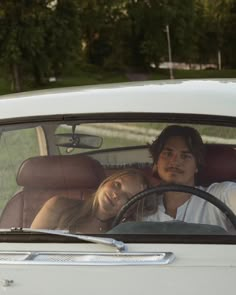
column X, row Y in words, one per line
column 191, row 136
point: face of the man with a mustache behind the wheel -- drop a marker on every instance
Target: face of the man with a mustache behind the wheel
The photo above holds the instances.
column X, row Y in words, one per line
column 176, row 164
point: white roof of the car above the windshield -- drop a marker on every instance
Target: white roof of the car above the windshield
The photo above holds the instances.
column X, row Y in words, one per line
column 197, row 96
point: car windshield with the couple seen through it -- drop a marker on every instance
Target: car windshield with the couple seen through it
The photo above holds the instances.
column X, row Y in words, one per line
column 106, row 178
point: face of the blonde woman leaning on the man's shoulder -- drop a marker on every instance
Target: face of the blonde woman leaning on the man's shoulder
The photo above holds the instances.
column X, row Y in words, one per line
column 115, row 193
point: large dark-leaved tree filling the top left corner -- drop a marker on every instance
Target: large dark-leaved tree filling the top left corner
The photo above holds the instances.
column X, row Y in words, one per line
column 37, row 37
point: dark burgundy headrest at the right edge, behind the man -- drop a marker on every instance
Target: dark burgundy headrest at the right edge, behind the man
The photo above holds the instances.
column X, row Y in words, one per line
column 220, row 164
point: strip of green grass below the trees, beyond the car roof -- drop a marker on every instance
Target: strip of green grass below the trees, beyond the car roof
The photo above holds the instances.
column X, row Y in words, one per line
column 91, row 75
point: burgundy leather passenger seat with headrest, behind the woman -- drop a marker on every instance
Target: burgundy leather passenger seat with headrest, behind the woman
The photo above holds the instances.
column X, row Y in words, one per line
column 76, row 177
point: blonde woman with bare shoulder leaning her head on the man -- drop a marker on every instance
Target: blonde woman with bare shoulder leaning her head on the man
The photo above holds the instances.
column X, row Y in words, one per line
column 97, row 213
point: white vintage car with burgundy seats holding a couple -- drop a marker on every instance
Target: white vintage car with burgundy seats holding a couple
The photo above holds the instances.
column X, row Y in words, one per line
column 64, row 142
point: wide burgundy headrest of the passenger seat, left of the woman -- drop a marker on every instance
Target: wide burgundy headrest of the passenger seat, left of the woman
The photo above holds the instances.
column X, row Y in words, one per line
column 60, row 172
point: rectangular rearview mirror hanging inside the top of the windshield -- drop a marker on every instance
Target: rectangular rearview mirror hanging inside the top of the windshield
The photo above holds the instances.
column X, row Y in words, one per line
column 77, row 140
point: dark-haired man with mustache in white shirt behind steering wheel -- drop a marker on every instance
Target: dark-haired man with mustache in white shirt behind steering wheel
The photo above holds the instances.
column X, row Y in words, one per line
column 178, row 155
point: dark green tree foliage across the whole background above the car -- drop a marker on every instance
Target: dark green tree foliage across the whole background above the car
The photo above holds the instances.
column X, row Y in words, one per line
column 44, row 38
